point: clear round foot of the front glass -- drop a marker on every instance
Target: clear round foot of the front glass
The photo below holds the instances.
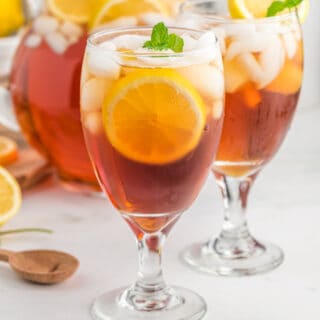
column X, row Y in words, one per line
column 111, row 307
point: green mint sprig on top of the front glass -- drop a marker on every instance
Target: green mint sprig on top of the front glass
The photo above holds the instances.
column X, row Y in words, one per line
column 162, row 40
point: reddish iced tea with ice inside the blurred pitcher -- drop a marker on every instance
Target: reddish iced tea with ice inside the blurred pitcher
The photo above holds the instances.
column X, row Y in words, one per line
column 45, row 86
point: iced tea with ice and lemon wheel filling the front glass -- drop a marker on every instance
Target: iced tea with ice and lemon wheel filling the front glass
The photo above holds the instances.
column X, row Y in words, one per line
column 151, row 126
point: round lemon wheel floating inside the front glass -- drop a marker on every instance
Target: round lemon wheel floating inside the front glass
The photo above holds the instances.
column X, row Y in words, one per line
column 154, row 116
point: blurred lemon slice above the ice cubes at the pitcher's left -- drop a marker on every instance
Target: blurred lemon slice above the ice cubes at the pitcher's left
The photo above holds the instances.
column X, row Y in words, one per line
column 78, row 11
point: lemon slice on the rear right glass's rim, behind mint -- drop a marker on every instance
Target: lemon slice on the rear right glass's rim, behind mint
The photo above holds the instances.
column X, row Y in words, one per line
column 258, row 9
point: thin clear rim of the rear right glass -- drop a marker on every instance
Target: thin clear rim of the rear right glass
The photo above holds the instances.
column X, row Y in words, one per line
column 230, row 20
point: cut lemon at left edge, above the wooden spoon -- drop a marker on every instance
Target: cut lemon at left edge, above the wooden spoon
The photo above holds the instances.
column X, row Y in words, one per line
column 10, row 196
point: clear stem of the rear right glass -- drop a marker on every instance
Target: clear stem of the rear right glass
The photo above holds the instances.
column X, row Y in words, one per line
column 235, row 240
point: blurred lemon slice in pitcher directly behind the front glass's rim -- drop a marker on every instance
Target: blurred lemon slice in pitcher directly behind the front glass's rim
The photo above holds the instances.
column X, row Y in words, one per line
column 112, row 9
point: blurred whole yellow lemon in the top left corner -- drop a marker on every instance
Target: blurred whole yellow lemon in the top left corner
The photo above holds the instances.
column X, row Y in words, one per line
column 11, row 16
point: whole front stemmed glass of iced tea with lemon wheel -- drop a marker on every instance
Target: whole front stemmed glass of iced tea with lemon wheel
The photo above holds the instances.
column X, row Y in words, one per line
column 152, row 120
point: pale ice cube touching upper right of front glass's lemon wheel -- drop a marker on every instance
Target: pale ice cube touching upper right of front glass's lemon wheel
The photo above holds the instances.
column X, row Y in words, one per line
column 205, row 78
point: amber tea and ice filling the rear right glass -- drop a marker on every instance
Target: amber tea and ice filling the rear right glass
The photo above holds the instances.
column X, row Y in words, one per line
column 263, row 70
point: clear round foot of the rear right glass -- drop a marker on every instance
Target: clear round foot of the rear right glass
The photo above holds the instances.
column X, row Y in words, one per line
column 201, row 258
